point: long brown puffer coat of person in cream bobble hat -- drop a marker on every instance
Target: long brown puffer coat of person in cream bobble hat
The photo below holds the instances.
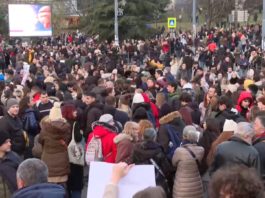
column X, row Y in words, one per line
column 54, row 138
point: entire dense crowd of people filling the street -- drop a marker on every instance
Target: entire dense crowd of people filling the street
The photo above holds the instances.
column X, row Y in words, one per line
column 196, row 114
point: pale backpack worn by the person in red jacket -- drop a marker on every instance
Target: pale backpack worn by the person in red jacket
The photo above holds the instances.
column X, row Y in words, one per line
column 94, row 150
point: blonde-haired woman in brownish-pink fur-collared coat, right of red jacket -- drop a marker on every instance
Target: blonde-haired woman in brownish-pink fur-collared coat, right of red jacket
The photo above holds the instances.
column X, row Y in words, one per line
column 125, row 142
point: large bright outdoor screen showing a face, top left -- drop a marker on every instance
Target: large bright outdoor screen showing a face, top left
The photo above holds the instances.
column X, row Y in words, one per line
column 30, row 20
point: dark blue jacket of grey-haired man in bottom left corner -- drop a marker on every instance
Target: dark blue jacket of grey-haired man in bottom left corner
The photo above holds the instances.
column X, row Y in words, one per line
column 41, row 191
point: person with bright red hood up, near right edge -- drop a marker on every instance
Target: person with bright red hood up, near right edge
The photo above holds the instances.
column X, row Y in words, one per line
column 244, row 103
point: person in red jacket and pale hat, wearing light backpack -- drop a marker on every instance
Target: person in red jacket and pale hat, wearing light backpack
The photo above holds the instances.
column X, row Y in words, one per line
column 105, row 129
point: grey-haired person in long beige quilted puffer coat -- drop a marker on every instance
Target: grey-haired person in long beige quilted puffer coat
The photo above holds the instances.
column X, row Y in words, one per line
column 187, row 159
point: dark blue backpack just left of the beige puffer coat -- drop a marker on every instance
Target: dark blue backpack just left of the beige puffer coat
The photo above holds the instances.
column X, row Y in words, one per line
column 174, row 141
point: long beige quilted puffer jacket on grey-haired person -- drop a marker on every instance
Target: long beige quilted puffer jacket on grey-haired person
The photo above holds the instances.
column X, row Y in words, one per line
column 187, row 182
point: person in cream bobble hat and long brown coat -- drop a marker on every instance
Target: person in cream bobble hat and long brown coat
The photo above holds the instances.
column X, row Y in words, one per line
column 54, row 137
